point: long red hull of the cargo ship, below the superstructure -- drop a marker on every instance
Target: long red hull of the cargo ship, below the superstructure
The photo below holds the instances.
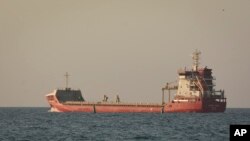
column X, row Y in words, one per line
column 198, row 106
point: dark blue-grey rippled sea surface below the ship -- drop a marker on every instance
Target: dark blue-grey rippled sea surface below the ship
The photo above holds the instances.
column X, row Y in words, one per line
column 35, row 124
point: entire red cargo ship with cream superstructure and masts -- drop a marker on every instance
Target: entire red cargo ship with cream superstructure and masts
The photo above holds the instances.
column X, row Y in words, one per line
column 193, row 92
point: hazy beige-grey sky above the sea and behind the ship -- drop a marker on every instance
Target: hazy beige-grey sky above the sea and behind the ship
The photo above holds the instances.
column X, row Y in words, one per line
column 126, row 47
